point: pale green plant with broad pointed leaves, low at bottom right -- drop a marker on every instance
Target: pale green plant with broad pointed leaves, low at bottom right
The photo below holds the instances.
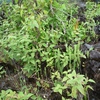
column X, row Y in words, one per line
column 72, row 82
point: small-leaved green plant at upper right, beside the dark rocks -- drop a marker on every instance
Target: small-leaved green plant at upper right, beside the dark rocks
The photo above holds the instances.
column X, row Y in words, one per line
column 92, row 11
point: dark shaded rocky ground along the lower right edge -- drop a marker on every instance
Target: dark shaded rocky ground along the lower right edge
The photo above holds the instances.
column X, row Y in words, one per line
column 91, row 68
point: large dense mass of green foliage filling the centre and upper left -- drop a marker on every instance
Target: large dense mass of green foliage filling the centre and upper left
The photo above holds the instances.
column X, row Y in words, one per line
column 33, row 36
